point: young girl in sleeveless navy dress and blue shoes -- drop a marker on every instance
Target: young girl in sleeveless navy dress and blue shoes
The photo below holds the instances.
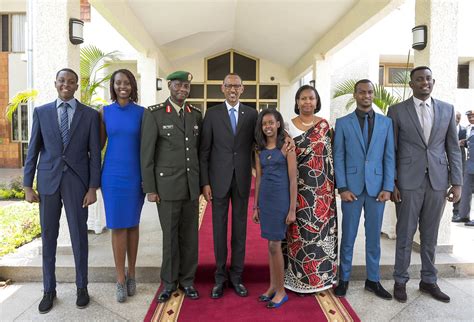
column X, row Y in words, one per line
column 275, row 197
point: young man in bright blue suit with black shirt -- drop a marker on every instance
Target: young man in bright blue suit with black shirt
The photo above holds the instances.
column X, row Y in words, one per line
column 364, row 160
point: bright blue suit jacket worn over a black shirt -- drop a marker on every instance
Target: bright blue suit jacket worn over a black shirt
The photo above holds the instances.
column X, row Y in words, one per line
column 356, row 168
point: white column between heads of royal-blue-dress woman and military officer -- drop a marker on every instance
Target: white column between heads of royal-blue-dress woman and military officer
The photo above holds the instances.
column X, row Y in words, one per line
column 147, row 68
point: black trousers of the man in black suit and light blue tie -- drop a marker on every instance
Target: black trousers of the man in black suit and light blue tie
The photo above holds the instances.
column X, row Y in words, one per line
column 220, row 215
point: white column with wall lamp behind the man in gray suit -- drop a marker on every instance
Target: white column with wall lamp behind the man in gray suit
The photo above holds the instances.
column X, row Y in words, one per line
column 441, row 55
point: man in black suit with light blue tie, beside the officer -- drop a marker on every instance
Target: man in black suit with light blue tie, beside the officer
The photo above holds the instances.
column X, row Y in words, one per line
column 225, row 159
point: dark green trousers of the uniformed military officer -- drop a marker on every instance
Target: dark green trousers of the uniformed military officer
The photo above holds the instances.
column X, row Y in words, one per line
column 179, row 221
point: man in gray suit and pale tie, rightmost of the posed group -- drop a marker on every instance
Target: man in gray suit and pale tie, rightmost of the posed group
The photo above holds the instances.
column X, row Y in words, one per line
column 428, row 161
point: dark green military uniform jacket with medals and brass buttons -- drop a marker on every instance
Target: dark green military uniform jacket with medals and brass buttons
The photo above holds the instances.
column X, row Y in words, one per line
column 169, row 152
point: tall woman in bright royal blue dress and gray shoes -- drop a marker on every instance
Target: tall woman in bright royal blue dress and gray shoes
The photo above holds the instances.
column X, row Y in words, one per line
column 121, row 178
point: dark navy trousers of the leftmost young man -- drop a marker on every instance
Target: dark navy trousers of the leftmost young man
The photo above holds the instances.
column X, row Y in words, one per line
column 71, row 193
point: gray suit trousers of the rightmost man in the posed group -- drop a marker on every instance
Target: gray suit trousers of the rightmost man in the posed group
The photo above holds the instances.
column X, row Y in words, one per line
column 421, row 207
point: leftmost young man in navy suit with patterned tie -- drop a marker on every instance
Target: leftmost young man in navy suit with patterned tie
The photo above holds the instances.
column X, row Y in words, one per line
column 65, row 137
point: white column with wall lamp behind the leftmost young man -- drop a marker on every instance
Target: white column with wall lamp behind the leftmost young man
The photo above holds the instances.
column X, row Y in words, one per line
column 52, row 49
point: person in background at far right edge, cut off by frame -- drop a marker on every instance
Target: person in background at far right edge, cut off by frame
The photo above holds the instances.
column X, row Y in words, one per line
column 468, row 179
